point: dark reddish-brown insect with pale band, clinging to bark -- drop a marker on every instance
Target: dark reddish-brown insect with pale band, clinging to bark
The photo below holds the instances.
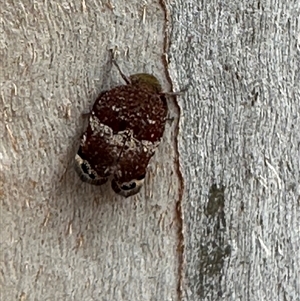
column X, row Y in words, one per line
column 125, row 127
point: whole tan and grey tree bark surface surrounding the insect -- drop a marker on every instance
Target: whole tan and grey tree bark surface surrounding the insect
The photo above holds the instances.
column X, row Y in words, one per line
column 239, row 142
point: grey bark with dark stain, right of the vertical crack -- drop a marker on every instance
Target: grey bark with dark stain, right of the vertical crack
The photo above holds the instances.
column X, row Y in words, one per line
column 239, row 146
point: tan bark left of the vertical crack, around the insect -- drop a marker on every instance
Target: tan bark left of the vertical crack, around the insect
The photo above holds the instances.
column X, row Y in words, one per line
column 62, row 239
